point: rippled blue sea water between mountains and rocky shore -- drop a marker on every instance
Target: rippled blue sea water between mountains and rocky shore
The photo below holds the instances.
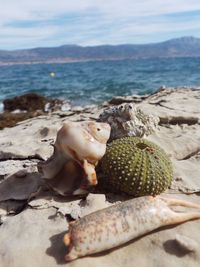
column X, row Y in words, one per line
column 93, row 82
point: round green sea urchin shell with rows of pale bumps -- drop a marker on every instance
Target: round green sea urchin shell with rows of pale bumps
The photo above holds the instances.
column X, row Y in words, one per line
column 136, row 166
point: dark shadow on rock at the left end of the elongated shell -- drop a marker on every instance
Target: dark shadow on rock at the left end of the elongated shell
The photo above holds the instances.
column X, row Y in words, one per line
column 57, row 249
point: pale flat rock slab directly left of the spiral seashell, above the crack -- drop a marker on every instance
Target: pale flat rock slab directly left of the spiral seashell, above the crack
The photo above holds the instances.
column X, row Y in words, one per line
column 29, row 139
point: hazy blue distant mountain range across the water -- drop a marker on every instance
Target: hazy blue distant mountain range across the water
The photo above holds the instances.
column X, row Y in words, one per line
column 180, row 47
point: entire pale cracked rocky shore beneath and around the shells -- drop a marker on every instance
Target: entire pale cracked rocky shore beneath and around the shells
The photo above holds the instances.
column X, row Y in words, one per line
column 33, row 219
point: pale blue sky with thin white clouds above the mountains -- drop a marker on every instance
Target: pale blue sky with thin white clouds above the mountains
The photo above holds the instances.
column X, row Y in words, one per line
column 47, row 23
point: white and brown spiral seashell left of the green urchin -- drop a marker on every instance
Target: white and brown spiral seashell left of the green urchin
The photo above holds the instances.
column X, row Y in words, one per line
column 77, row 149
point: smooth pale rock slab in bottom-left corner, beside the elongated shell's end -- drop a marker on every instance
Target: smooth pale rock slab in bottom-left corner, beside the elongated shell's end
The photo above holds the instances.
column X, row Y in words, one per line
column 33, row 238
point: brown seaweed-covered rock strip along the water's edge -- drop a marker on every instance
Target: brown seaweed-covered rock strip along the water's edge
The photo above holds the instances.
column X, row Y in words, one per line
column 9, row 118
